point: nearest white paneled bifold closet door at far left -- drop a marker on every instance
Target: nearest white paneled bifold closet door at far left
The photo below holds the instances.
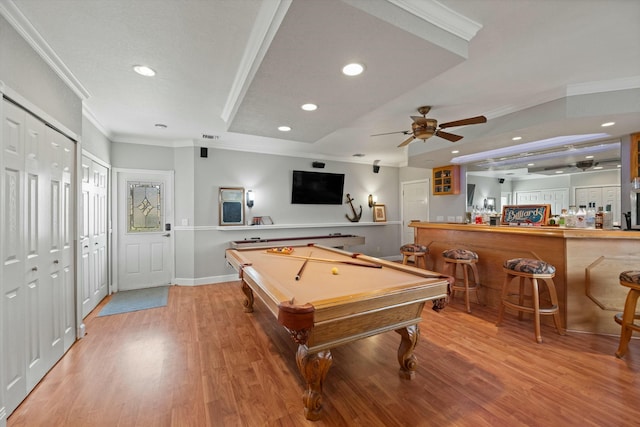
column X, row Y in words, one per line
column 38, row 285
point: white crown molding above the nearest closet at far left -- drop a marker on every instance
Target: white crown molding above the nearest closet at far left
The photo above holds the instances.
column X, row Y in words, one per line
column 21, row 24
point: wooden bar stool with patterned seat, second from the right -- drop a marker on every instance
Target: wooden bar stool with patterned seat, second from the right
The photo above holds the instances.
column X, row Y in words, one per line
column 532, row 269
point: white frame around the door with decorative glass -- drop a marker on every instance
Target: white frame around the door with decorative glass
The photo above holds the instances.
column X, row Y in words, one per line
column 115, row 206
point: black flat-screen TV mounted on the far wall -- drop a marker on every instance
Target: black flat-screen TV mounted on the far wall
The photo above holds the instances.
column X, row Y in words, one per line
column 317, row 188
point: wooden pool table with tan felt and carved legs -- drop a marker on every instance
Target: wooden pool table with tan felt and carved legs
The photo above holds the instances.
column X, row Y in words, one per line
column 322, row 308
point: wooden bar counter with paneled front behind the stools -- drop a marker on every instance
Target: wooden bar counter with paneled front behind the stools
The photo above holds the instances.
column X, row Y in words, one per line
column 588, row 263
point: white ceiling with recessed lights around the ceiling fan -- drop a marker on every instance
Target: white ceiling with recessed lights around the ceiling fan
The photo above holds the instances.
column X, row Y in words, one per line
column 237, row 69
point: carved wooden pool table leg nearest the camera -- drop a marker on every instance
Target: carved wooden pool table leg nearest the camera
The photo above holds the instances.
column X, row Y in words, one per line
column 314, row 368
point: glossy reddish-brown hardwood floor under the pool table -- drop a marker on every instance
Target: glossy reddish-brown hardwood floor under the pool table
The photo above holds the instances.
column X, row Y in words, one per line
column 202, row 361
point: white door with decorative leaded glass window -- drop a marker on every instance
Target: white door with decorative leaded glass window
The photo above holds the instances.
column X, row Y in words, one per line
column 144, row 218
